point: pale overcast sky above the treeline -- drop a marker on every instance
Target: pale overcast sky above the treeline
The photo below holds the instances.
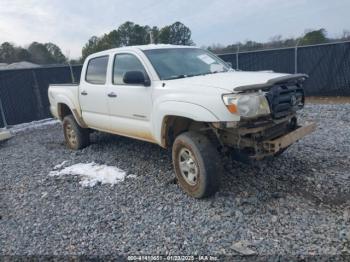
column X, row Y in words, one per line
column 70, row 23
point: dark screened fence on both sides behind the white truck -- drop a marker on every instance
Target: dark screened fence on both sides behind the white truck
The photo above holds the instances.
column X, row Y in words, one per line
column 23, row 92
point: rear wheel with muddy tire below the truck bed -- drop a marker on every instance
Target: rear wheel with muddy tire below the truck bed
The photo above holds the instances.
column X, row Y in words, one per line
column 76, row 136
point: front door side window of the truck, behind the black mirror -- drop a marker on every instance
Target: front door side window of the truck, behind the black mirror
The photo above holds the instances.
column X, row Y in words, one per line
column 124, row 63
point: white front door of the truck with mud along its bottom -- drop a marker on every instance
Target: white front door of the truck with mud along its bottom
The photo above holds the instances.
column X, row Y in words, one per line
column 130, row 105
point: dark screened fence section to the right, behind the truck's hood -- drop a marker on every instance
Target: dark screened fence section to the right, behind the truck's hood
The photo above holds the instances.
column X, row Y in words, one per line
column 328, row 65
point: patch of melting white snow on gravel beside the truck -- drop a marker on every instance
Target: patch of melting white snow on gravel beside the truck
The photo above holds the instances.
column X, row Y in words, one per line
column 91, row 173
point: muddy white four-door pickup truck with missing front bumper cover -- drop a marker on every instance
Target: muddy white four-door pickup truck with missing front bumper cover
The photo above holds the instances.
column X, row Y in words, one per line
column 183, row 98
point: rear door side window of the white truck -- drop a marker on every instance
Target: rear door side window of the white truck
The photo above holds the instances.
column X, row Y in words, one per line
column 97, row 70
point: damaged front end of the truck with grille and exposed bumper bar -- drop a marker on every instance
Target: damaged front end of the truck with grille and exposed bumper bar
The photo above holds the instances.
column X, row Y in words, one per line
column 263, row 136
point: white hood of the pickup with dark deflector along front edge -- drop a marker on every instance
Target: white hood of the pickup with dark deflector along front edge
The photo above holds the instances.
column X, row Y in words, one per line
column 238, row 81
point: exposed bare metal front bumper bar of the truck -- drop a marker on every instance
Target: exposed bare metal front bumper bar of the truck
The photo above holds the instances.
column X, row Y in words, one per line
column 280, row 143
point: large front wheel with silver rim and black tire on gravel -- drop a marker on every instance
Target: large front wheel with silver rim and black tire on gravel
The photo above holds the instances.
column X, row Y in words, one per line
column 197, row 164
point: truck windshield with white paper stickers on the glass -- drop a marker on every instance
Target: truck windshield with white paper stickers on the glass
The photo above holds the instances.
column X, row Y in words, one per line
column 173, row 63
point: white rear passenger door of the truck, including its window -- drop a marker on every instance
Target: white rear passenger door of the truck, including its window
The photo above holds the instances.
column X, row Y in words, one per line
column 93, row 93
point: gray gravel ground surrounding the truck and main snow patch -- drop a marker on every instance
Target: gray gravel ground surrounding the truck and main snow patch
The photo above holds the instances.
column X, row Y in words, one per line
column 296, row 204
